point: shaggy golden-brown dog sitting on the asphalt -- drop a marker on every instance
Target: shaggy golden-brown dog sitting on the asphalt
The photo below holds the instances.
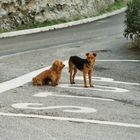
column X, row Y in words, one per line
column 51, row 75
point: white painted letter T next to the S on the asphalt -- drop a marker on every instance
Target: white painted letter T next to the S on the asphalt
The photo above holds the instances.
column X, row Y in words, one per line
column 46, row 94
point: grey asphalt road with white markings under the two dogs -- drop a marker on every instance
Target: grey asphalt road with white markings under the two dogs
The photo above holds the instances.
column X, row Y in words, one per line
column 110, row 110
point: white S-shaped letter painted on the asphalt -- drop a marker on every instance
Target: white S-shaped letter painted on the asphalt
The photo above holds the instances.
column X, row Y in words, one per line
column 72, row 109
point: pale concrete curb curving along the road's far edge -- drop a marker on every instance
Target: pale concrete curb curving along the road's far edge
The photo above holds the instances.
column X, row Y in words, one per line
column 60, row 26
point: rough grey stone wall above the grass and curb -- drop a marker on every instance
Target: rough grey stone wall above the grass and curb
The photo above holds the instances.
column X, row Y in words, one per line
column 17, row 12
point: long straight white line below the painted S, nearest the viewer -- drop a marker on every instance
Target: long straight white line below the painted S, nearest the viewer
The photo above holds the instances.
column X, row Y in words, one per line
column 119, row 124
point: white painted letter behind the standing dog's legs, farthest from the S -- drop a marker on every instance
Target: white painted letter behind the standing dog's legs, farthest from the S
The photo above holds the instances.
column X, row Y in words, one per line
column 104, row 79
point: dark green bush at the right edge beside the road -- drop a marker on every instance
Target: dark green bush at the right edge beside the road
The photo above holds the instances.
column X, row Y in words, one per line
column 132, row 22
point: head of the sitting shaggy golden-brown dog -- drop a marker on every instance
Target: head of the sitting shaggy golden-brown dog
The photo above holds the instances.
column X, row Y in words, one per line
column 58, row 65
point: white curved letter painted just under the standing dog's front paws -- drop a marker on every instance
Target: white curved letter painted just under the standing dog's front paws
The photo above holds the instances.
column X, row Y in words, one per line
column 95, row 88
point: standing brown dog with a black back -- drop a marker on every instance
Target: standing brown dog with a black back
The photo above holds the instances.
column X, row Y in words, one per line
column 84, row 65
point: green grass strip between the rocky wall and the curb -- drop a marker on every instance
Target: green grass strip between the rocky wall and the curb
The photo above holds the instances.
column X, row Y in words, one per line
column 112, row 7
